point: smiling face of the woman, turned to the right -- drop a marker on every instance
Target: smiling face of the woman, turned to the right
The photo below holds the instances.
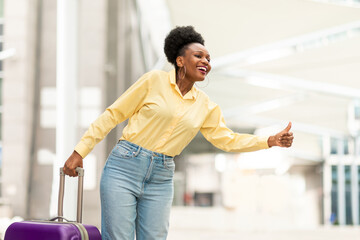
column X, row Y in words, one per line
column 196, row 61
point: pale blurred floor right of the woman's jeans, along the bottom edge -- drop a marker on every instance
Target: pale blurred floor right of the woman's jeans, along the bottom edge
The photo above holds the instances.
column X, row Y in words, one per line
column 189, row 223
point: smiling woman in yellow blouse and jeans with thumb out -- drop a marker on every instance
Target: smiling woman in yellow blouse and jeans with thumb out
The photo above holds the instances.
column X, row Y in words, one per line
column 165, row 112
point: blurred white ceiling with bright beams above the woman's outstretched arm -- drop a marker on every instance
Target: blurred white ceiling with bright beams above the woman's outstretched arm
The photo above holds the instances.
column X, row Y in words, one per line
column 276, row 61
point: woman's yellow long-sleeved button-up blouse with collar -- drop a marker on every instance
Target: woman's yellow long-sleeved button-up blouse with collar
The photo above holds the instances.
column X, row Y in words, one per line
column 164, row 121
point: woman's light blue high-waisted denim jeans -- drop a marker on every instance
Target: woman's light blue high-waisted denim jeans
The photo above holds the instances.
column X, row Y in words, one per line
column 136, row 191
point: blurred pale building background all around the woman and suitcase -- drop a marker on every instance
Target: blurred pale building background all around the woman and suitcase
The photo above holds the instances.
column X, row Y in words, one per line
column 273, row 61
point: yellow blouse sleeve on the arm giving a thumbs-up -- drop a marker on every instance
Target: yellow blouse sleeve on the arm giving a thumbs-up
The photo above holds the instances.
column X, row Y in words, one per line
column 216, row 132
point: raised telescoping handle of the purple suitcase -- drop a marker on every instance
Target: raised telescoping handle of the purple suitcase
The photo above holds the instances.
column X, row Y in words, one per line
column 80, row 172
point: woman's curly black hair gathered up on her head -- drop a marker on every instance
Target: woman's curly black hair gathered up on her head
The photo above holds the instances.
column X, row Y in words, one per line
column 178, row 39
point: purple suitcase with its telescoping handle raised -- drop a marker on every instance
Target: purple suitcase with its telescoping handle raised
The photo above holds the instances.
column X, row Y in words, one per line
column 52, row 229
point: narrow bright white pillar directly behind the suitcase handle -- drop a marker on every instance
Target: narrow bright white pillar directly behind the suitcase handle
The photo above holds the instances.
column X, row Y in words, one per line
column 67, row 104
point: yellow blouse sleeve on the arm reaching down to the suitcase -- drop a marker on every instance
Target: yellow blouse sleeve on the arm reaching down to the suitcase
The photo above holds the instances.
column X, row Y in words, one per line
column 123, row 108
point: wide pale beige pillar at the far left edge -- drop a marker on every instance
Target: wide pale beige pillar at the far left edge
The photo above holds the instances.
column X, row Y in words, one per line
column 19, row 33
